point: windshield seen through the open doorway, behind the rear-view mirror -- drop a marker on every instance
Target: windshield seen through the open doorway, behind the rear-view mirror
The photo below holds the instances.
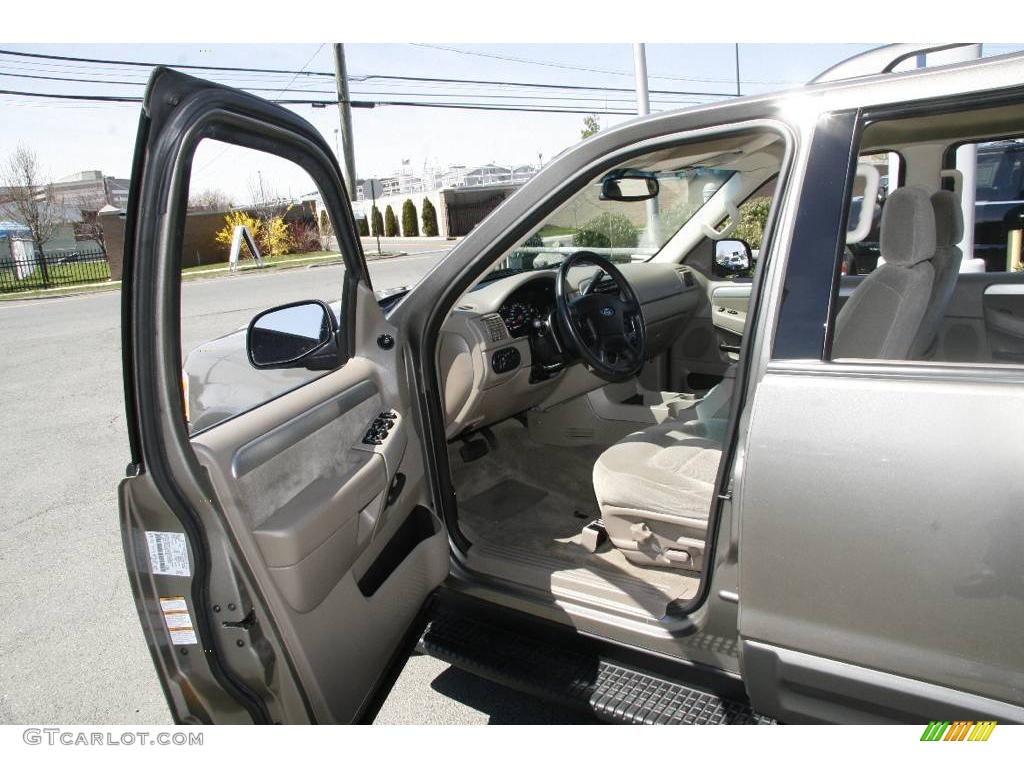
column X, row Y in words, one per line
column 623, row 231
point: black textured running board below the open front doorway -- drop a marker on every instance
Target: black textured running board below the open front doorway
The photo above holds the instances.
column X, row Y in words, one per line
column 607, row 690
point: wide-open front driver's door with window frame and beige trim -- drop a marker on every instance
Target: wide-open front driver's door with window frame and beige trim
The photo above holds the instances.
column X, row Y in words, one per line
column 280, row 560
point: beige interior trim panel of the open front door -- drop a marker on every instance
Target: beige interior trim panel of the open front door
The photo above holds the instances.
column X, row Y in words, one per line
column 308, row 501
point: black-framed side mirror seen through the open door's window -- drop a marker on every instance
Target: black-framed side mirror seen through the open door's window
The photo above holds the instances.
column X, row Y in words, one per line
column 301, row 335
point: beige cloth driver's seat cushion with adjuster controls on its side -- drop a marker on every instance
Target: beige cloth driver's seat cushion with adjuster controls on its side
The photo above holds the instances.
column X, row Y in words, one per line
column 655, row 489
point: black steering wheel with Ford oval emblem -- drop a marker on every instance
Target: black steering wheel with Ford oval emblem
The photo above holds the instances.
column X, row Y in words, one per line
column 608, row 329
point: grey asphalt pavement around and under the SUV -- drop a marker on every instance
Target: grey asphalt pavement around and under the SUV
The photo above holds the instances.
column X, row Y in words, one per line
column 71, row 646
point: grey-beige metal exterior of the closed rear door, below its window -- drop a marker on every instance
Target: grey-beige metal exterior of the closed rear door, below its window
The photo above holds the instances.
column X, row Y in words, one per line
column 916, row 573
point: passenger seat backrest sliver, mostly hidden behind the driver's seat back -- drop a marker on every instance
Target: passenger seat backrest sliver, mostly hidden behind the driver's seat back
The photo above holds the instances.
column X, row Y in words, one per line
column 949, row 232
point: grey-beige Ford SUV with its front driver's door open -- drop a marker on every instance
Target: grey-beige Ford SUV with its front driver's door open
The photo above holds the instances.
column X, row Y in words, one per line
column 611, row 476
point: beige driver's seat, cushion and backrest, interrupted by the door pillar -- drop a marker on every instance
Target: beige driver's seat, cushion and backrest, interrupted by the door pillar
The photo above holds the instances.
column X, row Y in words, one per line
column 655, row 487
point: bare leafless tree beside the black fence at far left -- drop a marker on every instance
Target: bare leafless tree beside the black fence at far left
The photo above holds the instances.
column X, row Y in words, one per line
column 31, row 201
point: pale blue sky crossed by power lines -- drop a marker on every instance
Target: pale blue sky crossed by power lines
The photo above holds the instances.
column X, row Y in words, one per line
column 72, row 137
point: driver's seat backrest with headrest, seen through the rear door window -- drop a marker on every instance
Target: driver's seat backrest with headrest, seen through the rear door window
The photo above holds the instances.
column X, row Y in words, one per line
column 881, row 319
